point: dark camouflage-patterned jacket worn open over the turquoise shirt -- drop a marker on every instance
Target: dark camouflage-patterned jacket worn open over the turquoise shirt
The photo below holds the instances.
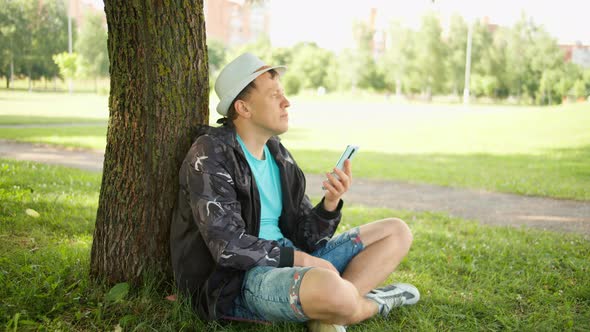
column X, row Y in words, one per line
column 214, row 232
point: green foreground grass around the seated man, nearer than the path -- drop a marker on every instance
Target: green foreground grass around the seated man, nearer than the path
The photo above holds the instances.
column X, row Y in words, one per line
column 472, row 277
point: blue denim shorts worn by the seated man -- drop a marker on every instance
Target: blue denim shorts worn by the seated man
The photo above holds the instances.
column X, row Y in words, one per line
column 272, row 294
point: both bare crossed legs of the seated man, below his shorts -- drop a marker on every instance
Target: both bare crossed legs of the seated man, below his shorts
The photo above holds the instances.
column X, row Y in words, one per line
column 330, row 298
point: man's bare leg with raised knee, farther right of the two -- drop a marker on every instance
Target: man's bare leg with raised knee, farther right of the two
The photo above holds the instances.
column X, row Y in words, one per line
column 386, row 243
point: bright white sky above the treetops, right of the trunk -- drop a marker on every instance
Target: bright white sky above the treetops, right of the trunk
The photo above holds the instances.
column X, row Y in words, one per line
column 328, row 22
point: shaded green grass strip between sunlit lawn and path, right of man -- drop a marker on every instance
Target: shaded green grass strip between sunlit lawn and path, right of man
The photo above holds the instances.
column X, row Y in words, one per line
column 561, row 173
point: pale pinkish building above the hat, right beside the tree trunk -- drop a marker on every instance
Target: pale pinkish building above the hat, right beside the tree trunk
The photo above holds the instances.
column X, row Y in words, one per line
column 236, row 22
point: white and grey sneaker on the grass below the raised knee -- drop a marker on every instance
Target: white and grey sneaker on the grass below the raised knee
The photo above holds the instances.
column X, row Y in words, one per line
column 394, row 295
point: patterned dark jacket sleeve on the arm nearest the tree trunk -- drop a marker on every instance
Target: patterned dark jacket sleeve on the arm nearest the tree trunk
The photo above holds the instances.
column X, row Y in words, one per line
column 216, row 211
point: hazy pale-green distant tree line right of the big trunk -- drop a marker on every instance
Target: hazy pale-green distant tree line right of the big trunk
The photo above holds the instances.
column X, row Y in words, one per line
column 522, row 62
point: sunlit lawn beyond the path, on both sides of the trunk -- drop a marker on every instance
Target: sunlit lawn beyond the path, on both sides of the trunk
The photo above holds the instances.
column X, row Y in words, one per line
column 541, row 151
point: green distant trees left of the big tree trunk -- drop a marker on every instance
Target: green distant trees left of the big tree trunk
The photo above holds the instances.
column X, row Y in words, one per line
column 34, row 42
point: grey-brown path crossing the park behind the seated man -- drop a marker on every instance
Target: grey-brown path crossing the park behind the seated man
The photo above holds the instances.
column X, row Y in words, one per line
column 486, row 207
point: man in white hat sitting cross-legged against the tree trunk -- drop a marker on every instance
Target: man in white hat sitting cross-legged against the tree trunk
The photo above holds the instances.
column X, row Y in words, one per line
column 246, row 242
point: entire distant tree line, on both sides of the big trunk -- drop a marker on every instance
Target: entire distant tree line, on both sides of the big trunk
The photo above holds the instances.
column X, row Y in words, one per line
column 522, row 62
